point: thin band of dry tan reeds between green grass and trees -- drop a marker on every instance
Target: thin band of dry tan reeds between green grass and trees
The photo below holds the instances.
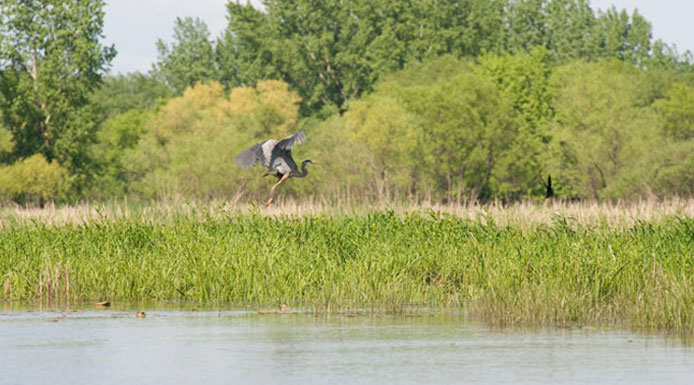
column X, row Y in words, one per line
column 614, row 215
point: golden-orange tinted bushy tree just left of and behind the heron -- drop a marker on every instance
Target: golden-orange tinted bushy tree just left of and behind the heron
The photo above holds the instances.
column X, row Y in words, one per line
column 190, row 143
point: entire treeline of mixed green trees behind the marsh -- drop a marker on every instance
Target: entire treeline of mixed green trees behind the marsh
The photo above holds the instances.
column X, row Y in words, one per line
column 444, row 100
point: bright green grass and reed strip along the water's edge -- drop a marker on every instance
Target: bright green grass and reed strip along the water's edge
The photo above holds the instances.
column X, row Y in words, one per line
column 558, row 271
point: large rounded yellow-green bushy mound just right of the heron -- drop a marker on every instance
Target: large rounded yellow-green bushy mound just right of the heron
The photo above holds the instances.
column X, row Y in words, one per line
column 443, row 137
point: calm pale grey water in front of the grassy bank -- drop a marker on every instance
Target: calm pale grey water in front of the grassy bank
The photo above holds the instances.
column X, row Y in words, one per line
column 222, row 347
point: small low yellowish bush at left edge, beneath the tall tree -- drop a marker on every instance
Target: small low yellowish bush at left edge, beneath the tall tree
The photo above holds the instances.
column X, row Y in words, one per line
column 32, row 180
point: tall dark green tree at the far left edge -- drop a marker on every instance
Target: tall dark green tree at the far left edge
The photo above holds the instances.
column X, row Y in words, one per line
column 52, row 59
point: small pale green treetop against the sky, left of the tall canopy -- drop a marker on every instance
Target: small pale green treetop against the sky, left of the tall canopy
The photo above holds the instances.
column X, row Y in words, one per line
column 189, row 59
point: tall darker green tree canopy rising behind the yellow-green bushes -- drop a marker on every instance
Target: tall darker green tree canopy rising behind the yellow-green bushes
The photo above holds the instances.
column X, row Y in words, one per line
column 332, row 51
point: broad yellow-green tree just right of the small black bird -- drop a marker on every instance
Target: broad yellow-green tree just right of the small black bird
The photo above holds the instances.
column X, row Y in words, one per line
column 606, row 139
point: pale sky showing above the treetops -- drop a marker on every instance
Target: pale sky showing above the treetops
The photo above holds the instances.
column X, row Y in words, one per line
column 134, row 26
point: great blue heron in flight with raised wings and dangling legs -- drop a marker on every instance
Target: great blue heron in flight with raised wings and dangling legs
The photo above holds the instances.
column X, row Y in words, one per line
column 276, row 156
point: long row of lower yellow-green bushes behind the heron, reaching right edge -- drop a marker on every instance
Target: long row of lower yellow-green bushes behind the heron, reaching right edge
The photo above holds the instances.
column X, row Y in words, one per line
column 447, row 129
